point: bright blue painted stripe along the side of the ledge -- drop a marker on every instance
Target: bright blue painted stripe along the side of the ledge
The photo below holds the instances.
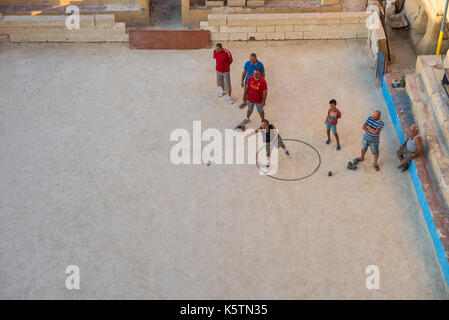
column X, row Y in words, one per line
column 438, row 245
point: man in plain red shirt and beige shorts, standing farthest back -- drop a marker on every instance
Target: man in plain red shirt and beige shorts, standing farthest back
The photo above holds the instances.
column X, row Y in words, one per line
column 223, row 58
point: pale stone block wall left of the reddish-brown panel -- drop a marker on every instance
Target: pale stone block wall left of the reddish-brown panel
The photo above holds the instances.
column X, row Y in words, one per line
column 93, row 28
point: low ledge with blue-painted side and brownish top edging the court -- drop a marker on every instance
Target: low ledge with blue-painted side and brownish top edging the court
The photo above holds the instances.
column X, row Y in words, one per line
column 429, row 198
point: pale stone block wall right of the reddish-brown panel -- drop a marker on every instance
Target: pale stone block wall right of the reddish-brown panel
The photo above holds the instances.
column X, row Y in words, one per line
column 289, row 26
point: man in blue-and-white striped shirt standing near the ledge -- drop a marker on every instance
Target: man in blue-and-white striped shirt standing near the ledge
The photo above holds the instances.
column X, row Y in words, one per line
column 372, row 127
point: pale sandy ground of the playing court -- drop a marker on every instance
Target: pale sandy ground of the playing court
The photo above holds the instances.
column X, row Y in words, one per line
column 87, row 180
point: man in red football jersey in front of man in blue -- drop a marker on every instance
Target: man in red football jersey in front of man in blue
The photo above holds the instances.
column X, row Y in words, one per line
column 255, row 94
